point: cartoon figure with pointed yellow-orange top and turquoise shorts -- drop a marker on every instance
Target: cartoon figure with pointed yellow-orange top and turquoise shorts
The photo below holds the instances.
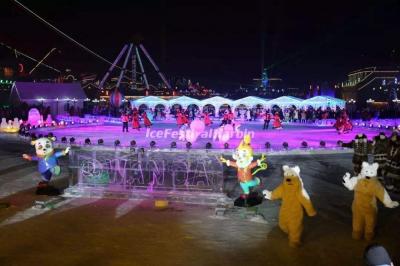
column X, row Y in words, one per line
column 244, row 164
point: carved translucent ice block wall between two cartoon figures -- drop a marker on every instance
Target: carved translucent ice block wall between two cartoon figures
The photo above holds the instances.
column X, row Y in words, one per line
column 176, row 175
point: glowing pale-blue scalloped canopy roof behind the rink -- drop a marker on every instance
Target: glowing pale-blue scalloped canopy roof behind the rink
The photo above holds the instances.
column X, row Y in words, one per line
column 217, row 102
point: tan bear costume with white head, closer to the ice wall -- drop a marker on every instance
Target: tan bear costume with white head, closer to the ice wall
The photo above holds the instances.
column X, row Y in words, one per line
column 294, row 199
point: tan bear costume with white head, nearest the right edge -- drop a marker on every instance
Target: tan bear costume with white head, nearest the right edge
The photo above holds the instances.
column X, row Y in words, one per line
column 366, row 189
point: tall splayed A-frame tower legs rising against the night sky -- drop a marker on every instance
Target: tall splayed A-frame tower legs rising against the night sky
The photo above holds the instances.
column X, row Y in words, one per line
column 131, row 51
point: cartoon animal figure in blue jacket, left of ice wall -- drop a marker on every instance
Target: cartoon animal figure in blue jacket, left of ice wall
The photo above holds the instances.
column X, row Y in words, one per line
column 47, row 163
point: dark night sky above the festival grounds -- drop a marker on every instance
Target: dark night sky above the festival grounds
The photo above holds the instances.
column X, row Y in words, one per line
column 215, row 42
